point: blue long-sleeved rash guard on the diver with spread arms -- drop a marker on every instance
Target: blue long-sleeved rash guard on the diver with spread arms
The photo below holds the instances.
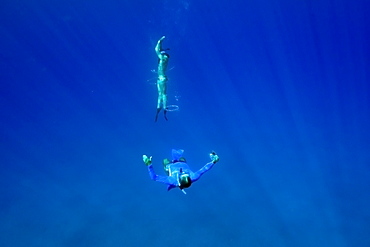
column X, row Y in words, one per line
column 174, row 172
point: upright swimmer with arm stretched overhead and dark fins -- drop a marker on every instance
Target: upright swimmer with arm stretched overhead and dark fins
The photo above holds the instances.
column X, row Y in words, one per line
column 162, row 78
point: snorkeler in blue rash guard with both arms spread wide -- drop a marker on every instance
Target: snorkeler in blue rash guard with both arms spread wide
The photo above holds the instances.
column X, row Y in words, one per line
column 178, row 172
